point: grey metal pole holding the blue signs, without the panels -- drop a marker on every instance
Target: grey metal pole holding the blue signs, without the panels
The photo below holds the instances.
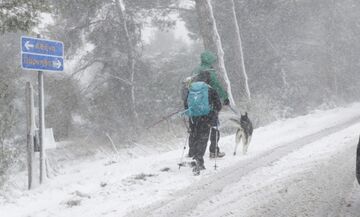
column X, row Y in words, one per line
column 41, row 123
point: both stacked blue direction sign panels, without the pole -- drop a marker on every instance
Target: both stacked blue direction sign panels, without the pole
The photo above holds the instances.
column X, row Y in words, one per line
column 41, row 54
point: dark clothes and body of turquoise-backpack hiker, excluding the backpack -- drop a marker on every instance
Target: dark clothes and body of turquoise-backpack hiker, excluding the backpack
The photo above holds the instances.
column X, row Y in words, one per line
column 201, row 126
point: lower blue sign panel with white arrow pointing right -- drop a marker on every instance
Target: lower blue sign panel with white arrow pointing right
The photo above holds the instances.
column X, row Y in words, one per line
column 41, row 62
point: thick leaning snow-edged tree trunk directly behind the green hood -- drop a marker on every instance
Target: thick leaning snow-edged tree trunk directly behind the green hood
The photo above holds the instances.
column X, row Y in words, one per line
column 211, row 39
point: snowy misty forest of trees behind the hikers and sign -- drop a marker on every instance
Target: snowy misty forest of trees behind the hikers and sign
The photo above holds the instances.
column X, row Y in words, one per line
column 126, row 61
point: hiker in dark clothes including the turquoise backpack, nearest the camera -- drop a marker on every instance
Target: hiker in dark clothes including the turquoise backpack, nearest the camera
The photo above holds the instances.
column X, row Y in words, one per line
column 202, row 105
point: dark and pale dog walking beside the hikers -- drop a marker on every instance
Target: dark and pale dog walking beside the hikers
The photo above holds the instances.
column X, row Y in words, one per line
column 243, row 133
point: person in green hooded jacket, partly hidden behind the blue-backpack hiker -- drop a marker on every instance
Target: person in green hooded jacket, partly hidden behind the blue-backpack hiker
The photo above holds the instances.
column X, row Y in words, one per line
column 207, row 61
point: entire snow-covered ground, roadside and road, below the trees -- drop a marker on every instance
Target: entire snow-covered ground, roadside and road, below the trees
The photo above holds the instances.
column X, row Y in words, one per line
column 296, row 167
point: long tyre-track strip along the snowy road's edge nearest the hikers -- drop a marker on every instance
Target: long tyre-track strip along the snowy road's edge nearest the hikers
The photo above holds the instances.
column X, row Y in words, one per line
column 184, row 201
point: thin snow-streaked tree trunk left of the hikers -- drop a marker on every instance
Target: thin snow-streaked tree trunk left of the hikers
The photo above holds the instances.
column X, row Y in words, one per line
column 130, row 51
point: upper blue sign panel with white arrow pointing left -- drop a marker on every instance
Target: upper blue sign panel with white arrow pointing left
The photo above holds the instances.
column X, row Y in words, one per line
column 42, row 46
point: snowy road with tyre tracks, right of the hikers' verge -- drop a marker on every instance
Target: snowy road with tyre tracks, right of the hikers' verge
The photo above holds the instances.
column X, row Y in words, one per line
column 316, row 187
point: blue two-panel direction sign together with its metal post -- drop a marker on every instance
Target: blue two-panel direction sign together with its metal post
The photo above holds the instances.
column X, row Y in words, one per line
column 42, row 55
